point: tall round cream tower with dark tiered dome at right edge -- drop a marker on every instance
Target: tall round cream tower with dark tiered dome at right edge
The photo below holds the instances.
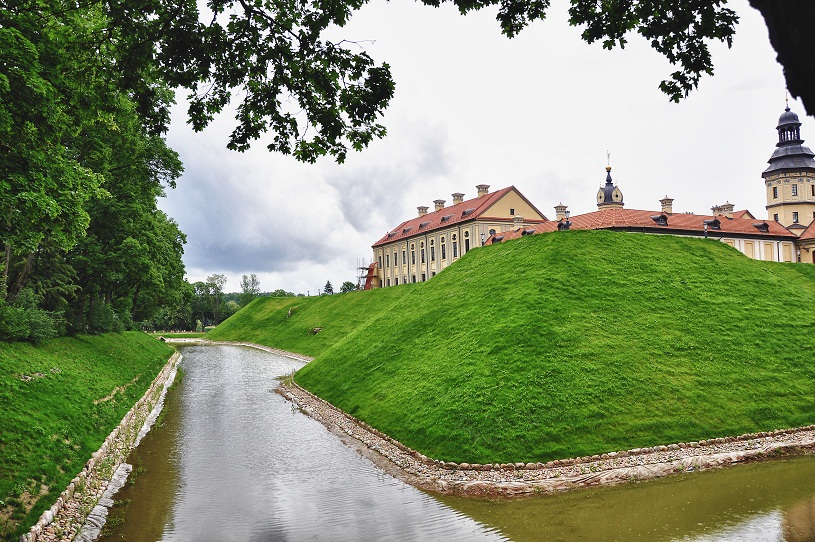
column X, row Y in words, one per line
column 790, row 178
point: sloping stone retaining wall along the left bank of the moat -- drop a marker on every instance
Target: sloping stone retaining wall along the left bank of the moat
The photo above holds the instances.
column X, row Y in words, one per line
column 65, row 518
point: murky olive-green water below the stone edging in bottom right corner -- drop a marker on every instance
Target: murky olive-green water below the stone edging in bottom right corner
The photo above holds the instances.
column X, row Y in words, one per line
column 771, row 501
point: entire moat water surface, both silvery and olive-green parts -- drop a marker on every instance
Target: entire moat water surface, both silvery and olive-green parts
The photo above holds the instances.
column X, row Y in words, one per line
column 231, row 460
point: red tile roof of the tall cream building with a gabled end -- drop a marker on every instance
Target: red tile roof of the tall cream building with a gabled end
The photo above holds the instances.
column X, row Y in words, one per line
column 461, row 212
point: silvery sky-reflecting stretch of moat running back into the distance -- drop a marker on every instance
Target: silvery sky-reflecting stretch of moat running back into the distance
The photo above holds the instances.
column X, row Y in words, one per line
column 249, row 467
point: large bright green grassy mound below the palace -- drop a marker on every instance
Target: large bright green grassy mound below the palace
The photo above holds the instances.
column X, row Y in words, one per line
column 564, row 344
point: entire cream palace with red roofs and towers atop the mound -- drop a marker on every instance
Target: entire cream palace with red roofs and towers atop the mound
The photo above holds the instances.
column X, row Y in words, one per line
column 417, row 249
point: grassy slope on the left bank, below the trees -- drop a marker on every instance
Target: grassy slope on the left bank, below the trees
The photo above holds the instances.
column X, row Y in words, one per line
column 49, row 425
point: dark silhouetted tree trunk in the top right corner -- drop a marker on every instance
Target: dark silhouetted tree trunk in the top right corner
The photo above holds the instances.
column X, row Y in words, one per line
column 790, row 23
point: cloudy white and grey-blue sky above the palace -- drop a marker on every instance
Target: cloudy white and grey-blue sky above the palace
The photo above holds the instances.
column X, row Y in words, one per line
column 540, row 112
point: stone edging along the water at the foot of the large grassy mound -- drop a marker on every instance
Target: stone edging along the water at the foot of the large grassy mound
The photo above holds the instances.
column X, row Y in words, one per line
column 528, row 478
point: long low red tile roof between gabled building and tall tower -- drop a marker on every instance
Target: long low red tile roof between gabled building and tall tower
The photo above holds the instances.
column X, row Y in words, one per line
column 684, row 223
